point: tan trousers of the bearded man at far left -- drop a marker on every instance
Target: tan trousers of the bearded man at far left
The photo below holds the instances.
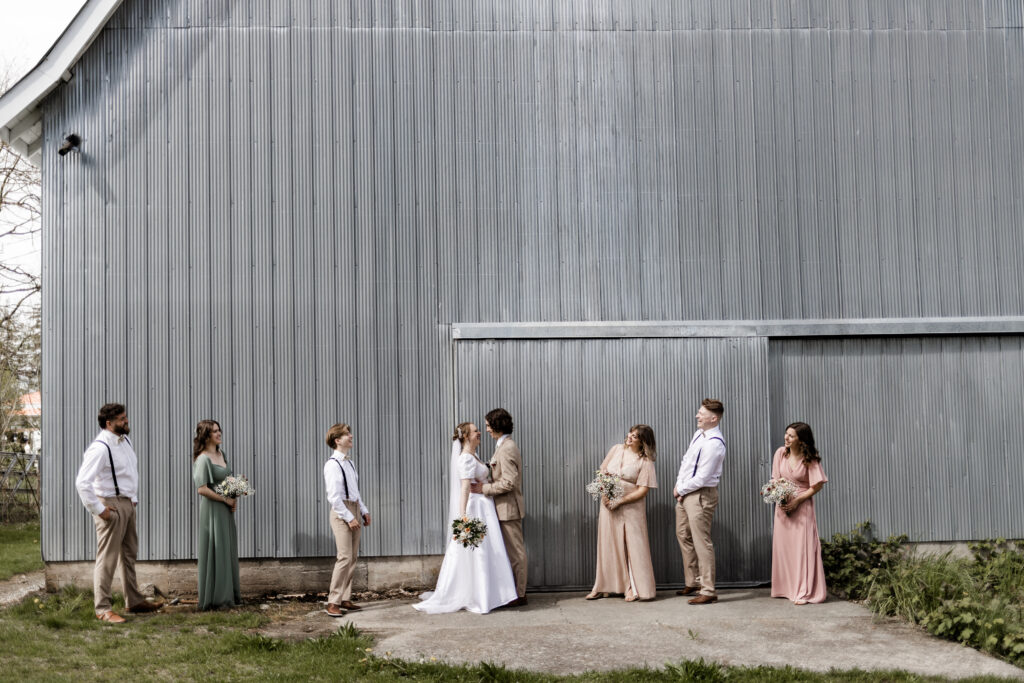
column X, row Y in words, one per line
column 116, row 540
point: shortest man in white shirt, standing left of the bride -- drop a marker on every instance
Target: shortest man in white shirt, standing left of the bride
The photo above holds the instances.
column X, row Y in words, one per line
column 347, row 509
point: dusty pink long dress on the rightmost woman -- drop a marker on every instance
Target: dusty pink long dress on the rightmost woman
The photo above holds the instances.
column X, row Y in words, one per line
column 797, row 572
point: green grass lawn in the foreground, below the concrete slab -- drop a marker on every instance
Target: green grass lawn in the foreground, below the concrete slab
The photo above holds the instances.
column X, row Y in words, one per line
column 57, row 636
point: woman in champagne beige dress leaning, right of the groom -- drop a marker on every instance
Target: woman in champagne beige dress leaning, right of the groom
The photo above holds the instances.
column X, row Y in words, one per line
column 624, row 566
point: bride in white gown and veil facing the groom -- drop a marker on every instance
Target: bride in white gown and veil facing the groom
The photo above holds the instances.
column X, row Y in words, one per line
column 475, row 579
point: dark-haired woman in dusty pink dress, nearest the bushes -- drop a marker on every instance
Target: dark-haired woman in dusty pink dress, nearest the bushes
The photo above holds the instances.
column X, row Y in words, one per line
column 797, row 572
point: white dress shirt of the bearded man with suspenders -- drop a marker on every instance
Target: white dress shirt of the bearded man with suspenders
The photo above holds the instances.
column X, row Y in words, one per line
column 95, row 481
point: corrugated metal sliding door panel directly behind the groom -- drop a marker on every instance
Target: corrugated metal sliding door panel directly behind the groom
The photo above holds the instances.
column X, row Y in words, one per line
column 574, row 400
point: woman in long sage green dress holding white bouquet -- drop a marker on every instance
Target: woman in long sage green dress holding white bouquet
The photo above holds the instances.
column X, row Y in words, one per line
column 219, row 544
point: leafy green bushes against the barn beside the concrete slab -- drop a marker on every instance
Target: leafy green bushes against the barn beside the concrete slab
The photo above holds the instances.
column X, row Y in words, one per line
column 978, row 602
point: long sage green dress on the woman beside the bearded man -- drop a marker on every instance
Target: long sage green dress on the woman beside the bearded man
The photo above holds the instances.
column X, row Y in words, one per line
column 219, row 542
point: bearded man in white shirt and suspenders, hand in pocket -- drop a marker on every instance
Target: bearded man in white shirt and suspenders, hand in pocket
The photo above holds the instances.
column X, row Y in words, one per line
column 108, row 485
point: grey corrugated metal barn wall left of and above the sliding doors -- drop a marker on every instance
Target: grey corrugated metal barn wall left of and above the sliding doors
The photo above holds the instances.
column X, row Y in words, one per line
column 280, row 206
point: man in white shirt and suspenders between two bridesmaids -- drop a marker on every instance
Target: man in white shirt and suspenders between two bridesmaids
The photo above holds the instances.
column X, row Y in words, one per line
column 697, row 498
